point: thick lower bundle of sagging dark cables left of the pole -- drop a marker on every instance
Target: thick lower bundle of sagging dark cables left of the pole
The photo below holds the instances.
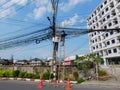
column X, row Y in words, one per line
column 25, row 41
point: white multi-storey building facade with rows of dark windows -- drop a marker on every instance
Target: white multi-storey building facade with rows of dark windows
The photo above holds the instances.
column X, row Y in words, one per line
column 106, row 44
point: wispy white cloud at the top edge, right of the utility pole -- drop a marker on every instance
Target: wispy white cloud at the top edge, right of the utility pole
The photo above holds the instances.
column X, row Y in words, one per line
column 66, row 6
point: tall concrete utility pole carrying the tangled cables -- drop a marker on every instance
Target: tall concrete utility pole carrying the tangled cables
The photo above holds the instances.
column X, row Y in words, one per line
column 55, row 38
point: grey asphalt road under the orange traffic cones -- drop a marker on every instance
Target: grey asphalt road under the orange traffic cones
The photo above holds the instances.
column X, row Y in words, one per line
column 24, row 85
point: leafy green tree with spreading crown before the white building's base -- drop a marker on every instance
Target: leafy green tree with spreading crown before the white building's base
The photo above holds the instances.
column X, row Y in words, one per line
column 84, row 63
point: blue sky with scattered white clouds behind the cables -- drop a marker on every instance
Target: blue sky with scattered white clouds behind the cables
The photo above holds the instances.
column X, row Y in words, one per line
column 24, row 16
